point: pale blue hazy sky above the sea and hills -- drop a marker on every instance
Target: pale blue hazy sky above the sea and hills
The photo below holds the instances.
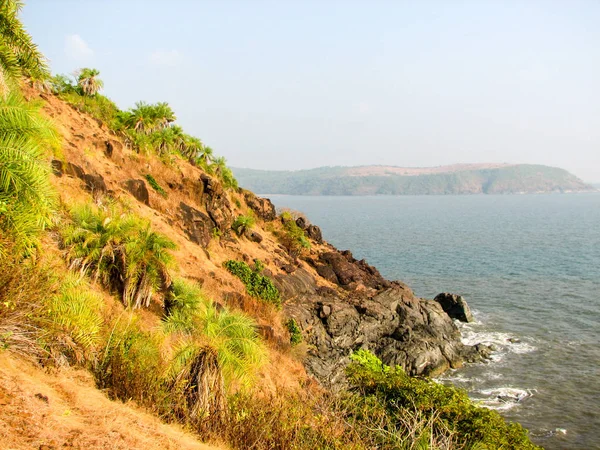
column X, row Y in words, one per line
column 293, row 84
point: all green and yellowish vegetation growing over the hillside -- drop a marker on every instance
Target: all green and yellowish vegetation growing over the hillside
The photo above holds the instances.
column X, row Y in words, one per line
column 197, row 367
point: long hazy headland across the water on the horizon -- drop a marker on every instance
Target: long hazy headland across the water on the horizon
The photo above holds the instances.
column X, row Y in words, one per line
column 391, row 180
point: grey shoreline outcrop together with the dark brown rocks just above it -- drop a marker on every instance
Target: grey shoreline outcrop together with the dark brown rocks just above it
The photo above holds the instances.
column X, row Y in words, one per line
column 369, row 312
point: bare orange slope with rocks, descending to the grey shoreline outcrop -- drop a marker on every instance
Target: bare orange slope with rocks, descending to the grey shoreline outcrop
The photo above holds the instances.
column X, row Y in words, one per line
column 340, row 304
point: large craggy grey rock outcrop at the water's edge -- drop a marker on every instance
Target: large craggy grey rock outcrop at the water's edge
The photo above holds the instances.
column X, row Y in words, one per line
column 401, row 329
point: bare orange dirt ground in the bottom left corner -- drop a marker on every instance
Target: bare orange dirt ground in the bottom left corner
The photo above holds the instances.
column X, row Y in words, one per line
column 63, row 410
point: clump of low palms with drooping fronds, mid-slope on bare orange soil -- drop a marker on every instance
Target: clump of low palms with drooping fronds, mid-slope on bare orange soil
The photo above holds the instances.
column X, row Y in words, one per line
column 121, row 251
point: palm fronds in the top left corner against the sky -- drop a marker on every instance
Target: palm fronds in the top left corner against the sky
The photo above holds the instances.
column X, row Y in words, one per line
column 19, row 56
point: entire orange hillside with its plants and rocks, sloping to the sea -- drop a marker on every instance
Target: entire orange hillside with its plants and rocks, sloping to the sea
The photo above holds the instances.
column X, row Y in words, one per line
column 142, row 290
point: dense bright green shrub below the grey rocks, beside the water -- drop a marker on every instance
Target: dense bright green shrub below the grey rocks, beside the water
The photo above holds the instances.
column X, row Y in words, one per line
column 450, row 407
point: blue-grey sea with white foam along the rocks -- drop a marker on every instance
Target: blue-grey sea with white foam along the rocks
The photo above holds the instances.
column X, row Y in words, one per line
column 528, row 265
